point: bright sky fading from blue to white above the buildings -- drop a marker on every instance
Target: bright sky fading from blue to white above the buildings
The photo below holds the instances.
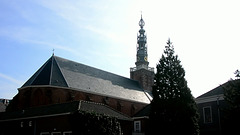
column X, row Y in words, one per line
column 103, row 34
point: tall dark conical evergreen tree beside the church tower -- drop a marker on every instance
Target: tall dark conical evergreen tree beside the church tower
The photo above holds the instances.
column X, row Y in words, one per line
column 174, row 110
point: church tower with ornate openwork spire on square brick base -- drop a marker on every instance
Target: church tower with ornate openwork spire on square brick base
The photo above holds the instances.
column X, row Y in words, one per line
column 142, row 73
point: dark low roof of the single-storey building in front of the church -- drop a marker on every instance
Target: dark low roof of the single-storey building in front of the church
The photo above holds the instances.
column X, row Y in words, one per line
column 63, row 109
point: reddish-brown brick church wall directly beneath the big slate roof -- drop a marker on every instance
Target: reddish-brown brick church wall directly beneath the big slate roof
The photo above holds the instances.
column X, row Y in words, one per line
column 45, row 95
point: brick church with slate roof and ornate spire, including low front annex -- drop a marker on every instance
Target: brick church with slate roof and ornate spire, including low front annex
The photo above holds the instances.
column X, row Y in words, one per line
column 60, row 87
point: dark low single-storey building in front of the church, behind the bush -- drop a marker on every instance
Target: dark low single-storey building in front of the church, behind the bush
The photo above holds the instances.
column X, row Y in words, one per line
column 57, row 119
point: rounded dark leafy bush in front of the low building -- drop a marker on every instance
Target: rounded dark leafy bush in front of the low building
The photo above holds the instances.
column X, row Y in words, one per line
column 86, row 123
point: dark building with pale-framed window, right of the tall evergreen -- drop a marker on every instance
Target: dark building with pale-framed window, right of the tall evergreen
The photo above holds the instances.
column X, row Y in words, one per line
column 212, row 109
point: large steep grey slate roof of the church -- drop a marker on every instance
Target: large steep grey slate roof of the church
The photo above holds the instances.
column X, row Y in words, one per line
column 65, row 73
